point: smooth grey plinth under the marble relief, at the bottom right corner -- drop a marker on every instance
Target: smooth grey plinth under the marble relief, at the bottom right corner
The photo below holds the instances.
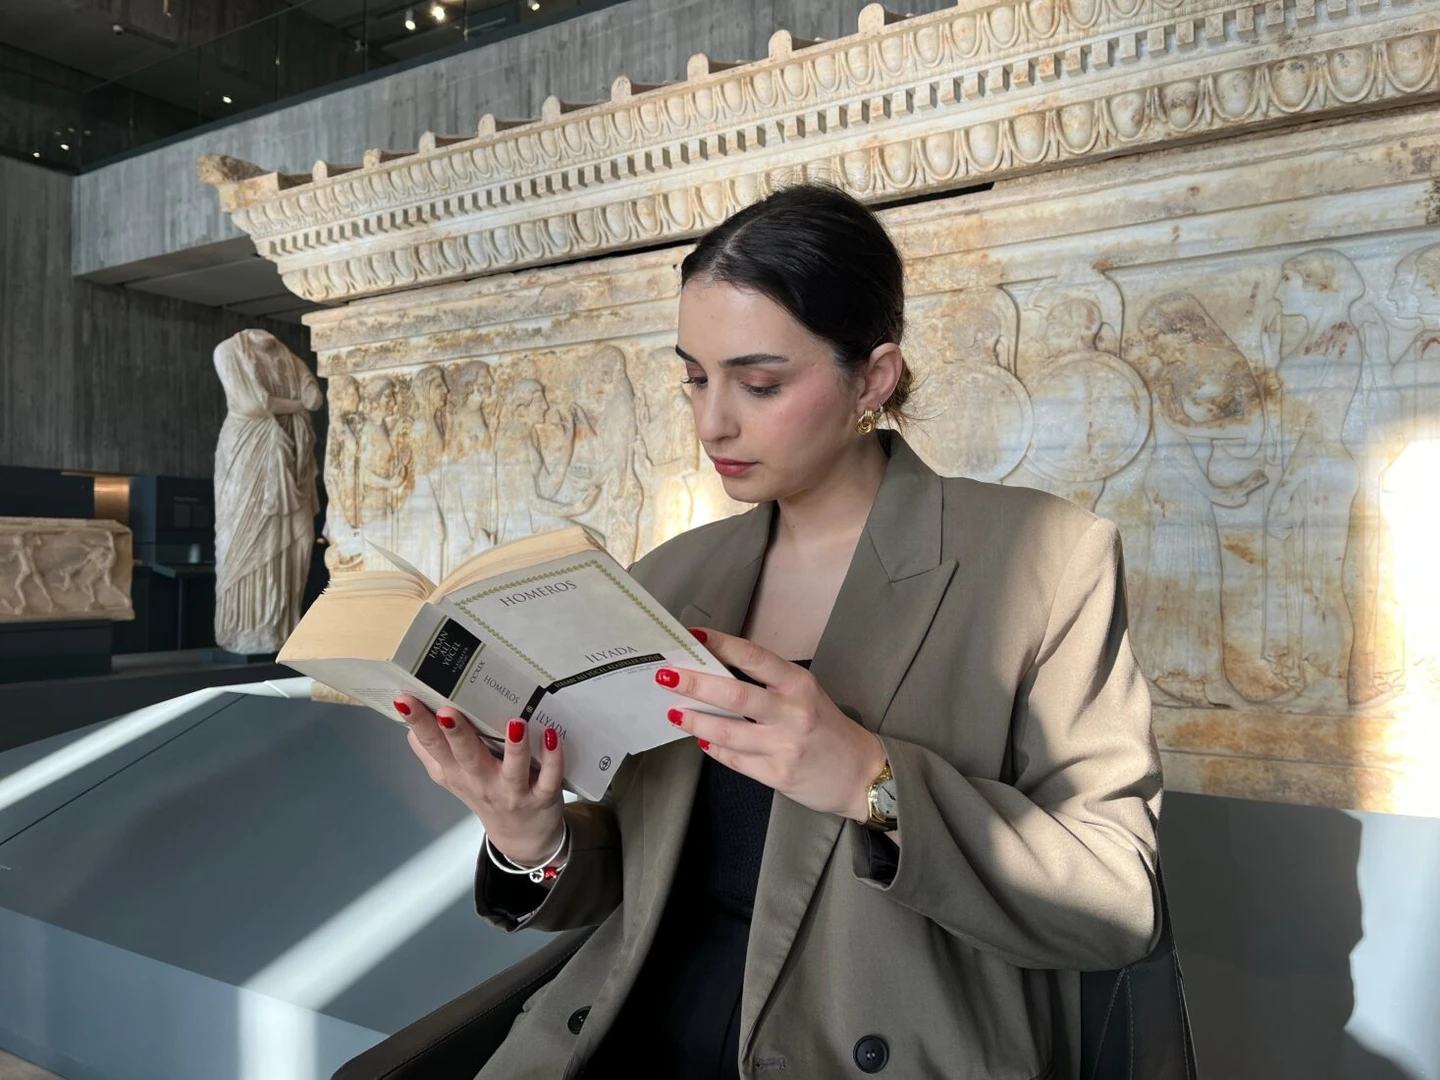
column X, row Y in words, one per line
column 1308, row 938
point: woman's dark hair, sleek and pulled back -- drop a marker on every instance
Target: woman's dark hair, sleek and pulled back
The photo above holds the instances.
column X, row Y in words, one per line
column 826, row 258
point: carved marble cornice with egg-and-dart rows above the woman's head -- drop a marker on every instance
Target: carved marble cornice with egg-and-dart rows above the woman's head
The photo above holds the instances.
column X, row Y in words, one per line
column 905, row 107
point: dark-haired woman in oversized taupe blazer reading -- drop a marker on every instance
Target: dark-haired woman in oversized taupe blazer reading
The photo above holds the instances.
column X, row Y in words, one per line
column 941, row 804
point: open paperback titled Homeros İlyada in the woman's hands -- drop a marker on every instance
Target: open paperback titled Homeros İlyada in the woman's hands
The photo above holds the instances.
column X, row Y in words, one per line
column 548, row 629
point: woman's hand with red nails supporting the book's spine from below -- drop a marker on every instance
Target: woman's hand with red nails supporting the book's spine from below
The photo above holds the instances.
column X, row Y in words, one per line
column 522, row 811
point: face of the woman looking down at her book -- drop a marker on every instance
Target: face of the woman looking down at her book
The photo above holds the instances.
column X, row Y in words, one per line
column 773, row 410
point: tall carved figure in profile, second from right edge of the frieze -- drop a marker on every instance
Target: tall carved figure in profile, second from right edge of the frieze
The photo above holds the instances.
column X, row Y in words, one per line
column 1307, row 518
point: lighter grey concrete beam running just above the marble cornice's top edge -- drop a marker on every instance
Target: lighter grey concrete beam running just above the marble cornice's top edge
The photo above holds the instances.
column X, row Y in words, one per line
column 152, row 205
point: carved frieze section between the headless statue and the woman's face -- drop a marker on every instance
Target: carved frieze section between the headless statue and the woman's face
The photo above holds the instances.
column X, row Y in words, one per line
column 449, row 460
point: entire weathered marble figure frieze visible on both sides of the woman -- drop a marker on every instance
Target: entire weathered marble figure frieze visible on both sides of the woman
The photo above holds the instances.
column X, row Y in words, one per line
column 1246, row 420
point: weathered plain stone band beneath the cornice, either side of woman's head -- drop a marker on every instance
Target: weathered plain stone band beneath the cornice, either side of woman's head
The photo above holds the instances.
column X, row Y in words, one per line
column 557, row 307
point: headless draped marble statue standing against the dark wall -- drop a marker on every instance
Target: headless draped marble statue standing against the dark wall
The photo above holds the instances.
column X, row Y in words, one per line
column 264, row 492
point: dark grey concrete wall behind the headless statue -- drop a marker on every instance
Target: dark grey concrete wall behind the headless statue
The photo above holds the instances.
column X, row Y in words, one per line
column 96, row 378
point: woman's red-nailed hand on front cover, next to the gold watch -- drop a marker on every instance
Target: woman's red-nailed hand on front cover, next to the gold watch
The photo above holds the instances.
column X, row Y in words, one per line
column 801, row 745
